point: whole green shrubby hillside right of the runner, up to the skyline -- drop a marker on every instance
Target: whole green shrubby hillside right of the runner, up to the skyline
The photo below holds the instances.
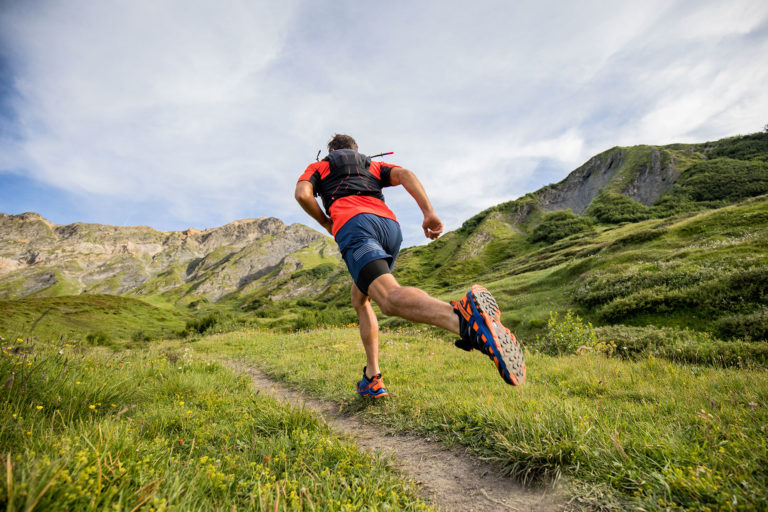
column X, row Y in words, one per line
column 696, row 258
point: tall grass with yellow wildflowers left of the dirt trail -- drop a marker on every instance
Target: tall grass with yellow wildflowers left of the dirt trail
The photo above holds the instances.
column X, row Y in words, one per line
column 85, row 429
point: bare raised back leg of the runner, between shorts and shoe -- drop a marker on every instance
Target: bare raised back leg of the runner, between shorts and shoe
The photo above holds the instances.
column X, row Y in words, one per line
column 412, row 304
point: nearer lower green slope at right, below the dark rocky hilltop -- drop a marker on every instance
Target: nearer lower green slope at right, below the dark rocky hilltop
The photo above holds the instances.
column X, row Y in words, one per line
column 702, row 270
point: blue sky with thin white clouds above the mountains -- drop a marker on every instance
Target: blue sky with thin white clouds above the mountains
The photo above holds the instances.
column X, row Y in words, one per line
column 180, row 114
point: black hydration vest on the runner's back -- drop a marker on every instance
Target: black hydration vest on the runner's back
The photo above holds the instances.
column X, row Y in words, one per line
column 349, row 175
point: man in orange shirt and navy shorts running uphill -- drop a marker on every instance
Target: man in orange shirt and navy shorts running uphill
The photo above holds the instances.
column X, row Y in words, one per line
column 349, row 184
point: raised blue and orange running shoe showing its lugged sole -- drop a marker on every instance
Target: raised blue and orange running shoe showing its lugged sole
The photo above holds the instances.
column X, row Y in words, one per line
column 480, row 328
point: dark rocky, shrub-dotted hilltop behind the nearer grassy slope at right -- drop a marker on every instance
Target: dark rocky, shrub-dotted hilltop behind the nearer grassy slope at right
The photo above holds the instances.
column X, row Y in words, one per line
column 639, row 181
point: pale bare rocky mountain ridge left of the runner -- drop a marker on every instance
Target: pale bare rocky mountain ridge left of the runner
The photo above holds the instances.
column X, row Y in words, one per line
column 42, row 258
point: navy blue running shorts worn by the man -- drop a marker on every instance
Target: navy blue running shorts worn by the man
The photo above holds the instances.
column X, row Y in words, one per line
column 367, row 237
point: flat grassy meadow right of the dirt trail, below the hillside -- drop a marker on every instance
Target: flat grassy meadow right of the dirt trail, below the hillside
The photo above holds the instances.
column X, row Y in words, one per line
column 647, row 434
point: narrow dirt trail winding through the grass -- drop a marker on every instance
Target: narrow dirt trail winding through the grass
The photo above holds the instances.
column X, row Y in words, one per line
column 451, row 480
